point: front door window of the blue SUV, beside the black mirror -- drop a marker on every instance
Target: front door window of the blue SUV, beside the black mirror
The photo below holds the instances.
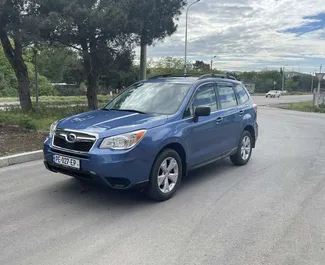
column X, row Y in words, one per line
column 204, row 96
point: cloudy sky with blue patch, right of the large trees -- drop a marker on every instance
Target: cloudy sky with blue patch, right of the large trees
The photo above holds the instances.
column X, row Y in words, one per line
column 251, row 35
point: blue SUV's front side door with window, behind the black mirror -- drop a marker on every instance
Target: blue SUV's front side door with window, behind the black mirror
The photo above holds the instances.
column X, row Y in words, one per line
column 201, row 137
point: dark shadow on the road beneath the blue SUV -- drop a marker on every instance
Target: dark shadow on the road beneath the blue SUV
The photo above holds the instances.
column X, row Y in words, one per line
column 91, row 197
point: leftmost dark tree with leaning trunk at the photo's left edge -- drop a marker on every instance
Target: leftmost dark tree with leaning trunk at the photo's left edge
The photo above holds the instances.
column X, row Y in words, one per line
column 16, row 23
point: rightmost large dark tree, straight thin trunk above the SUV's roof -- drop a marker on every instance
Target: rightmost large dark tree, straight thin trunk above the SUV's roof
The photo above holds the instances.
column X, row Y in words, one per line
column 153, row 20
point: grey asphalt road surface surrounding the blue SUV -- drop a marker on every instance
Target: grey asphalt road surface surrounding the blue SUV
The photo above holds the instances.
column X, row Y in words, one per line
column 271, row 211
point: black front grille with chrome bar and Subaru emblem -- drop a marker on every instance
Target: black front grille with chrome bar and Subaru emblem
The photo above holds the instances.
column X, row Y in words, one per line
column 83, row 142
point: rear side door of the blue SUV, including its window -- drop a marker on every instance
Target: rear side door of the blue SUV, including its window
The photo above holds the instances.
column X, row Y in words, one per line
column 228, row 117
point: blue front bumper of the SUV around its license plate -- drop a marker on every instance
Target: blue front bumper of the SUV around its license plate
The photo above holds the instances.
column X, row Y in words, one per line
column 119, row 170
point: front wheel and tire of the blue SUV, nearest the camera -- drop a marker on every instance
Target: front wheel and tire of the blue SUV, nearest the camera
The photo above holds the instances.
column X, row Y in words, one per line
column 168, row 184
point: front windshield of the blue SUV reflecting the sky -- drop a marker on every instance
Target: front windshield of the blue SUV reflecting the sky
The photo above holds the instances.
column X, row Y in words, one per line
column 153, row 98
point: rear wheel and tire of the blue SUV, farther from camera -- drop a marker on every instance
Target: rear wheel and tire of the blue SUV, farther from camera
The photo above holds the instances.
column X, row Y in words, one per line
column 243, row 153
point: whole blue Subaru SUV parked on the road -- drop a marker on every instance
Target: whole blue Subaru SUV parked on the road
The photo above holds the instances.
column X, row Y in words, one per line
column 154, row 132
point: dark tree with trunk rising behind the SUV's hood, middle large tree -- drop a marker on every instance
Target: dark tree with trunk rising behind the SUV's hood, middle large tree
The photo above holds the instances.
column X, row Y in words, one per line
column 98, row 29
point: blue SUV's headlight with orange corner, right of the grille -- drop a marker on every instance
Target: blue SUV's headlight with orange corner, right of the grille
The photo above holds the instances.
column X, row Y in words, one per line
column 123, row 141
